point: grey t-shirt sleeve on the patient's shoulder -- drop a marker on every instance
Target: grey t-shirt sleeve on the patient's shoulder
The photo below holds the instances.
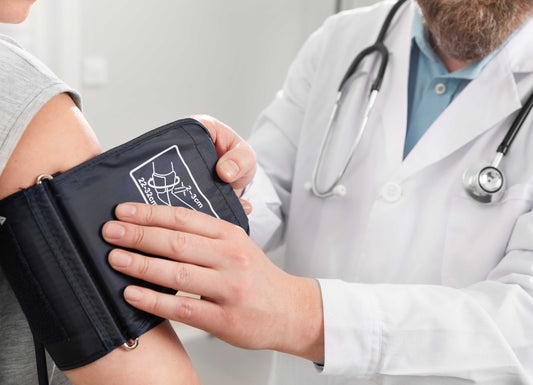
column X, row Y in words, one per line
column 26, row 85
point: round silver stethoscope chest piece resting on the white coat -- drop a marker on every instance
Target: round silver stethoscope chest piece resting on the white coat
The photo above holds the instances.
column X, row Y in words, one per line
column 485, row 184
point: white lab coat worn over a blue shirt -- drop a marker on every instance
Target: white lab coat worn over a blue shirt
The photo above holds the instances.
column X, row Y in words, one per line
column 420, row 283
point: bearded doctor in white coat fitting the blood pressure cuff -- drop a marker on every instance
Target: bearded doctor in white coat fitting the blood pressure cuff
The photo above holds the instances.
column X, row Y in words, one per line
column 417, row 283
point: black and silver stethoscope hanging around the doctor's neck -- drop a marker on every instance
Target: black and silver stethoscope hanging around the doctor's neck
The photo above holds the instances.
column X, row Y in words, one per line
column 485, row 183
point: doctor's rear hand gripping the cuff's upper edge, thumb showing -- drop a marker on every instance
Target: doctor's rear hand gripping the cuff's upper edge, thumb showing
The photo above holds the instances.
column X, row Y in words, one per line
column 236, row 164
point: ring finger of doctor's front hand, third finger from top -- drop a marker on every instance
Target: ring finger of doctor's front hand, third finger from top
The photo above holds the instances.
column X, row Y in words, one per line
column 174, row 275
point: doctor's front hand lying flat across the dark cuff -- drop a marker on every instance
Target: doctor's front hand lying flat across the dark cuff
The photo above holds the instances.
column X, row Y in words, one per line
column 245, row 299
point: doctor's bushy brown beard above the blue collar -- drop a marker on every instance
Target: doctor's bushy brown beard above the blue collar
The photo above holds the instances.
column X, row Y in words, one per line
column 468, row 30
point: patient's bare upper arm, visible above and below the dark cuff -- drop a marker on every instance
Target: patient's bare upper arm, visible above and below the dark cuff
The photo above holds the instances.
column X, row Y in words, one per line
column 57, row 139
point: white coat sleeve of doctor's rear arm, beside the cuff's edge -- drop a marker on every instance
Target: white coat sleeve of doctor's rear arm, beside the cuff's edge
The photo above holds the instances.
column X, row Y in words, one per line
column 274, row 139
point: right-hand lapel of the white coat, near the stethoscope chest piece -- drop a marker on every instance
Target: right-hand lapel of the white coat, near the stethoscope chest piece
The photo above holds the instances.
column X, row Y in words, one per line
column 485, row 102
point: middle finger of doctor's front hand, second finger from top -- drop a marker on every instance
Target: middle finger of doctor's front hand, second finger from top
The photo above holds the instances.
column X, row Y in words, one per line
column 176, row 245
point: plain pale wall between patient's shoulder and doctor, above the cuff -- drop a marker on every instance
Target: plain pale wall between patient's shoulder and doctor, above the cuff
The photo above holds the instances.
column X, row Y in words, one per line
column 171, row 58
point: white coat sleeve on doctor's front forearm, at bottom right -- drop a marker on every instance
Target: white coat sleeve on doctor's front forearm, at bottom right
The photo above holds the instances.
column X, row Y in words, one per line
column 422, row 334
